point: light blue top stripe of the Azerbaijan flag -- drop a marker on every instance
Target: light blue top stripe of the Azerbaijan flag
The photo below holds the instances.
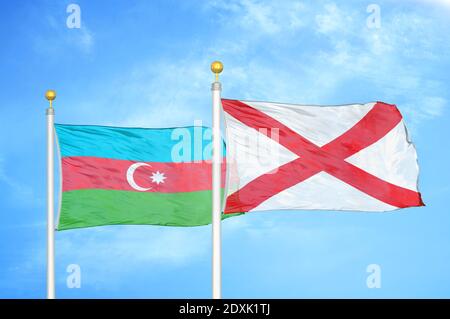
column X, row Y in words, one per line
column 136, row 144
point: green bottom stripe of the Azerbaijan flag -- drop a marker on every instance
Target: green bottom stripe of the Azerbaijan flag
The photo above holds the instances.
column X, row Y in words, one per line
column 96, row 207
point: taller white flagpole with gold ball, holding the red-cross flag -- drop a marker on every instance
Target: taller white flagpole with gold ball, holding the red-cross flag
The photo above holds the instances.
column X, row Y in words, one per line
column 216, row 68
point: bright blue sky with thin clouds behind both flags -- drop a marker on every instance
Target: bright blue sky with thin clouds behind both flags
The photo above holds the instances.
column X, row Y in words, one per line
column 146, row 63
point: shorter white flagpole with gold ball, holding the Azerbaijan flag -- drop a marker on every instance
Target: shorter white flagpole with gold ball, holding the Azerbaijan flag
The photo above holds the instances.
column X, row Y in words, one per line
column 50, row 95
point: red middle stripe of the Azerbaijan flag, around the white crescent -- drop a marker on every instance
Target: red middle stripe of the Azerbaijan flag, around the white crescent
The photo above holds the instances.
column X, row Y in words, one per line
column 80, row 172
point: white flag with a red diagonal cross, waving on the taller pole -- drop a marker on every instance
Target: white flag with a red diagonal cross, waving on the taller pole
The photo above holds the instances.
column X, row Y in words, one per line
column 349, row 157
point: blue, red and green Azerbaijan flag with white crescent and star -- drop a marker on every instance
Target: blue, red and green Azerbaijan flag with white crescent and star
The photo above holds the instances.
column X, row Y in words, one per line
column 118, row 176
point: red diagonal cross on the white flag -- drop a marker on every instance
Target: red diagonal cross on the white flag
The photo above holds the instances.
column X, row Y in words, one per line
column 379, row 121
